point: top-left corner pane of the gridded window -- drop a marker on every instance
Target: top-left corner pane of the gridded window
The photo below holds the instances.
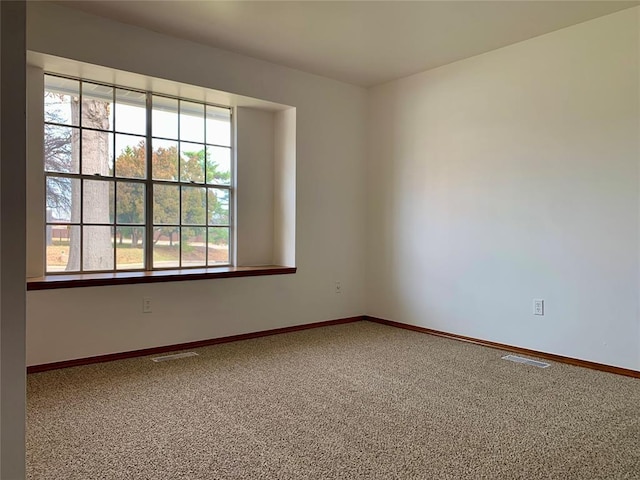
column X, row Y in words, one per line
column 61, row 97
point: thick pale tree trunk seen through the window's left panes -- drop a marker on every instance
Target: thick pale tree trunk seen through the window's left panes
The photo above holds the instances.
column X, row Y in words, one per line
column 97, row 241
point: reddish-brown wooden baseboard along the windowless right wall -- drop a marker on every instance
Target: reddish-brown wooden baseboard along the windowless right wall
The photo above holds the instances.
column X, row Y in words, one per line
column 509, row 348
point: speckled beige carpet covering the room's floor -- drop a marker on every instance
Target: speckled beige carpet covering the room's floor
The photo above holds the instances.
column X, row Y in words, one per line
column 356, row 401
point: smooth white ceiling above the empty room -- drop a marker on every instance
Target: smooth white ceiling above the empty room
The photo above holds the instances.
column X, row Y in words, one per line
column 360, row 42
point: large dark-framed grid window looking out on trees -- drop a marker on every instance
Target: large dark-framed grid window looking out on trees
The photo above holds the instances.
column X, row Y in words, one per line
column 134, row 180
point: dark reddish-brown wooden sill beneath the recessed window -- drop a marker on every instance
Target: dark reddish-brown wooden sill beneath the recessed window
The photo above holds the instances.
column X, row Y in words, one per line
column 127, row 278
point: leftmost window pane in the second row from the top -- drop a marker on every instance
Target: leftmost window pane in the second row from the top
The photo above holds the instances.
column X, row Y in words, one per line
column 59, row 145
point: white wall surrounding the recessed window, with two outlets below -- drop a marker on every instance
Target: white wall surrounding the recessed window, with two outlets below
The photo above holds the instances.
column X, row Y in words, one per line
column 330, row 224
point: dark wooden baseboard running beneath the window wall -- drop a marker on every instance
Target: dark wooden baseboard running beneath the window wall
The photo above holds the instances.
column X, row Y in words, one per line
column 184, row 346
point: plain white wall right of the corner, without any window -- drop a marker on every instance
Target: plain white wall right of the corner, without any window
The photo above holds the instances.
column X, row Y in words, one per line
column 511, row 176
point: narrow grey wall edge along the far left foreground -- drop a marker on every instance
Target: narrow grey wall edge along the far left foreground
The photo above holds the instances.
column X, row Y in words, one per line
column 12, row 240
